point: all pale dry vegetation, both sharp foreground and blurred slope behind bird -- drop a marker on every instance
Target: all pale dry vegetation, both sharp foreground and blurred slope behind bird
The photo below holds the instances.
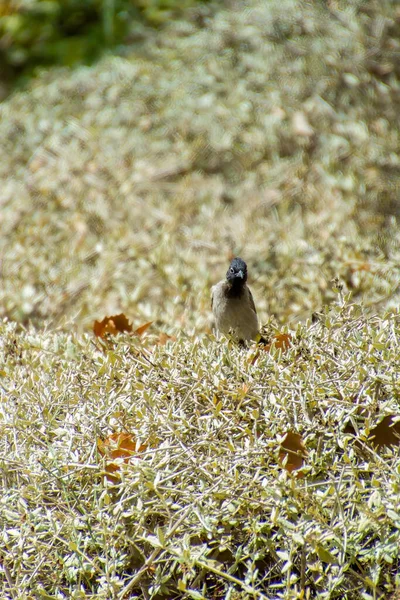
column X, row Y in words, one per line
column 265, row 132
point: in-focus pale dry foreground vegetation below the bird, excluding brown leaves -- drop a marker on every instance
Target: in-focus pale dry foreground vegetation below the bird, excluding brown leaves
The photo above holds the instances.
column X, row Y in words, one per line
column 206, row 511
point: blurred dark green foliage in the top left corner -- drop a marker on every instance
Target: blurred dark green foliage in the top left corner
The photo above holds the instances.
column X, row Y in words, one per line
column 36, row 33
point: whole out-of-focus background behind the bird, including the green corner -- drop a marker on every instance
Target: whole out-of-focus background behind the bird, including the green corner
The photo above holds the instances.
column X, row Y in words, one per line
column 266, row 129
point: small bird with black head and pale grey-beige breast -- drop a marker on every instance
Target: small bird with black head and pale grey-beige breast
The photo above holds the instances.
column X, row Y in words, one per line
column 233, row 305
